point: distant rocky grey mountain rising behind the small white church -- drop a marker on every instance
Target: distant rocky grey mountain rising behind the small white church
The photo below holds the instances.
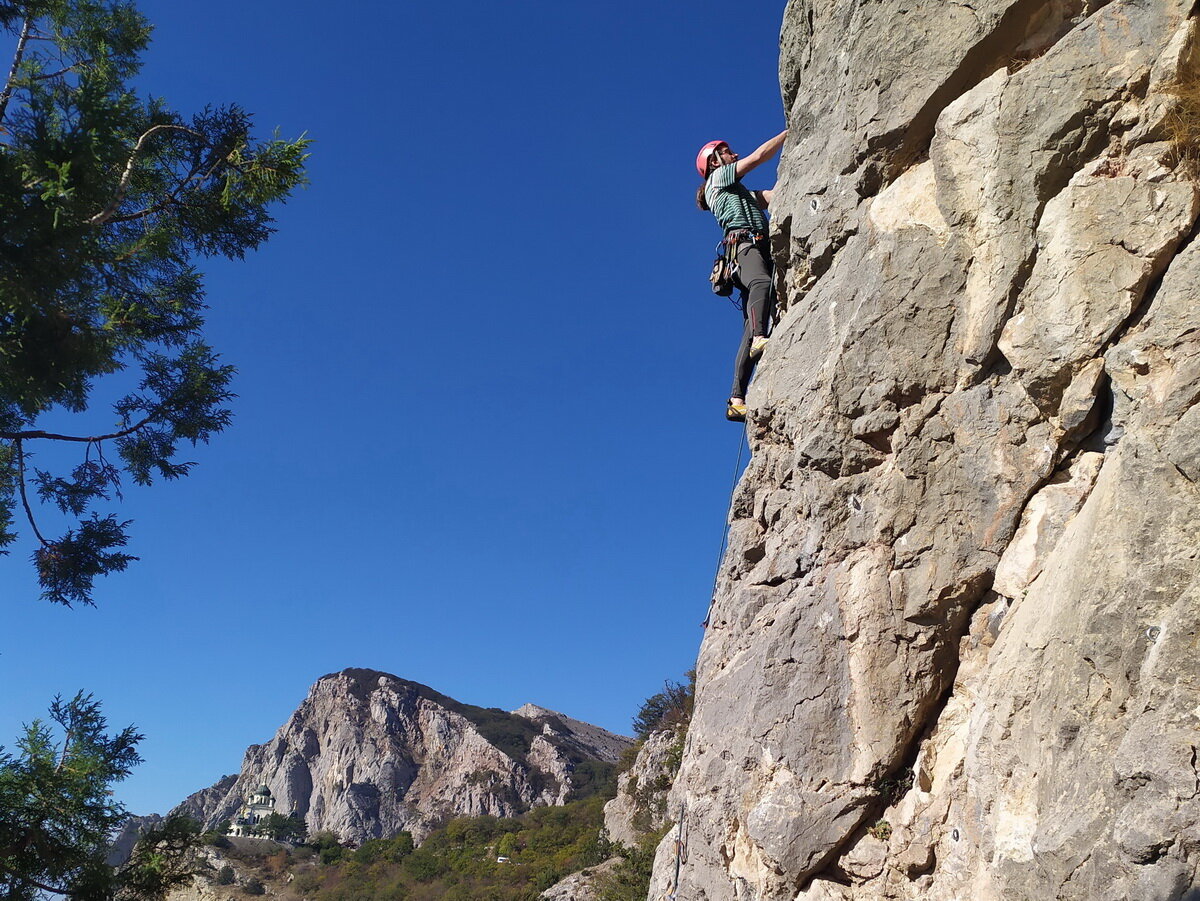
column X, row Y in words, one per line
column 369, row 755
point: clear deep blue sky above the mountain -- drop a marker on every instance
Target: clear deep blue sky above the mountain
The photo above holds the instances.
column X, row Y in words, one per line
column 479, row 440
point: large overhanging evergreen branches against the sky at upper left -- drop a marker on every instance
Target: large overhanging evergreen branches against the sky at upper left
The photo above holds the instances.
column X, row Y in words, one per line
column 106, row 200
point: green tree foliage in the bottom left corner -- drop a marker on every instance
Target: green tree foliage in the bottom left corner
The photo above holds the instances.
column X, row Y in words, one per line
column 57, row 814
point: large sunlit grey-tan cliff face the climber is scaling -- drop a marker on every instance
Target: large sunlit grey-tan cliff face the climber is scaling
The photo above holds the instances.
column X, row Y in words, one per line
column 955, row 645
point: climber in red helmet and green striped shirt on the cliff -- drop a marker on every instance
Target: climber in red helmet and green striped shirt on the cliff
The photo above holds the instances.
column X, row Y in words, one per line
column 740, row 212
